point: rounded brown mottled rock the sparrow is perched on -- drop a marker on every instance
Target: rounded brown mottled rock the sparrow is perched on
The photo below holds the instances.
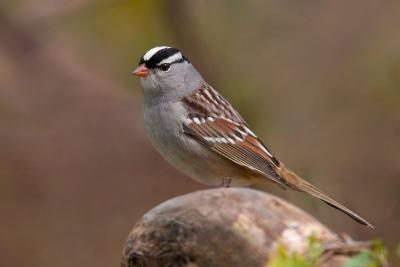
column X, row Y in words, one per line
column 222, row 227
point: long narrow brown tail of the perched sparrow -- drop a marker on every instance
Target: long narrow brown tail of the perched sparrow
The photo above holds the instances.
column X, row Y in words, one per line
column 297, row 183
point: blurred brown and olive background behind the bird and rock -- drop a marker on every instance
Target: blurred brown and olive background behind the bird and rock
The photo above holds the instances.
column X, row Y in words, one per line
column 318, row 81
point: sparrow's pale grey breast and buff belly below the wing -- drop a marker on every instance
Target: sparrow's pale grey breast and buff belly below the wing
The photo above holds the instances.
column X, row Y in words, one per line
column 186, row 154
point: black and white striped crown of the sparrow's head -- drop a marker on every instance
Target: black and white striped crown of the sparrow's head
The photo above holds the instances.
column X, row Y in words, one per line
column 160, row 55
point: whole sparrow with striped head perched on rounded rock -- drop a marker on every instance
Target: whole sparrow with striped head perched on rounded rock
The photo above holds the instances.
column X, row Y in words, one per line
column 198, row 131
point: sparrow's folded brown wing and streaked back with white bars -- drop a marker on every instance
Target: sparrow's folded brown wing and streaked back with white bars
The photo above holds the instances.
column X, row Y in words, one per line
column 215, row 124
